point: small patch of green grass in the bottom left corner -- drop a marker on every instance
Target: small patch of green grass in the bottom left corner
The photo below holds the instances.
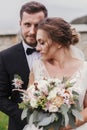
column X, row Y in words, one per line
column 3, row 121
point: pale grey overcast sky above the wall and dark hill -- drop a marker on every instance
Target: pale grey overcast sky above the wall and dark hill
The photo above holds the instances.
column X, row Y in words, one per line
column 67, row 9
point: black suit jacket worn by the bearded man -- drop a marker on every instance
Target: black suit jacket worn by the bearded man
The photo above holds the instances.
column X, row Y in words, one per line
column 12, row 61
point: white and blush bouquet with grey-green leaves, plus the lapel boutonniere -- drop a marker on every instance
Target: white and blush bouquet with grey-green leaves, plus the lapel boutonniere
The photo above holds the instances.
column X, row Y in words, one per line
column 49, row 103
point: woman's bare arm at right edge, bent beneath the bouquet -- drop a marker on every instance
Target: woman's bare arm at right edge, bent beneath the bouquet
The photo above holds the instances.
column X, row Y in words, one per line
column 84, row 115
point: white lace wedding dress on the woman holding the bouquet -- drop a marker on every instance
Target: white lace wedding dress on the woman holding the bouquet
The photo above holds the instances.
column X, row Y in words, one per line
column 80, row 75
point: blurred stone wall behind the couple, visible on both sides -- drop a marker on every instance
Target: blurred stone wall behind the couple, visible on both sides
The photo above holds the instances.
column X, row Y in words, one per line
column 8, row 40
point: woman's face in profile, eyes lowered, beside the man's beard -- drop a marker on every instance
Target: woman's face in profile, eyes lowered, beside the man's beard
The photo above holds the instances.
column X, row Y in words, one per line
column 45, row 45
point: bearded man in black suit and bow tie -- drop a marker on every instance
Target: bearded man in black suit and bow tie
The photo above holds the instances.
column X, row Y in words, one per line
column 18, row 60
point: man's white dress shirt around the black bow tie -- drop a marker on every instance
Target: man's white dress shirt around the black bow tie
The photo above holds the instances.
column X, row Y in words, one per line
column 32, row 57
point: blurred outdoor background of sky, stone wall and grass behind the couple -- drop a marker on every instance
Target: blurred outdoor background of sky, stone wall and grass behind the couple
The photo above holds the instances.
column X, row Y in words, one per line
column 73, row 11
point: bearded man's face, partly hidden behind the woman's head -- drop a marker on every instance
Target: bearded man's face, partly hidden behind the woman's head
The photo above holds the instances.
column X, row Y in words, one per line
column 29, row 25
